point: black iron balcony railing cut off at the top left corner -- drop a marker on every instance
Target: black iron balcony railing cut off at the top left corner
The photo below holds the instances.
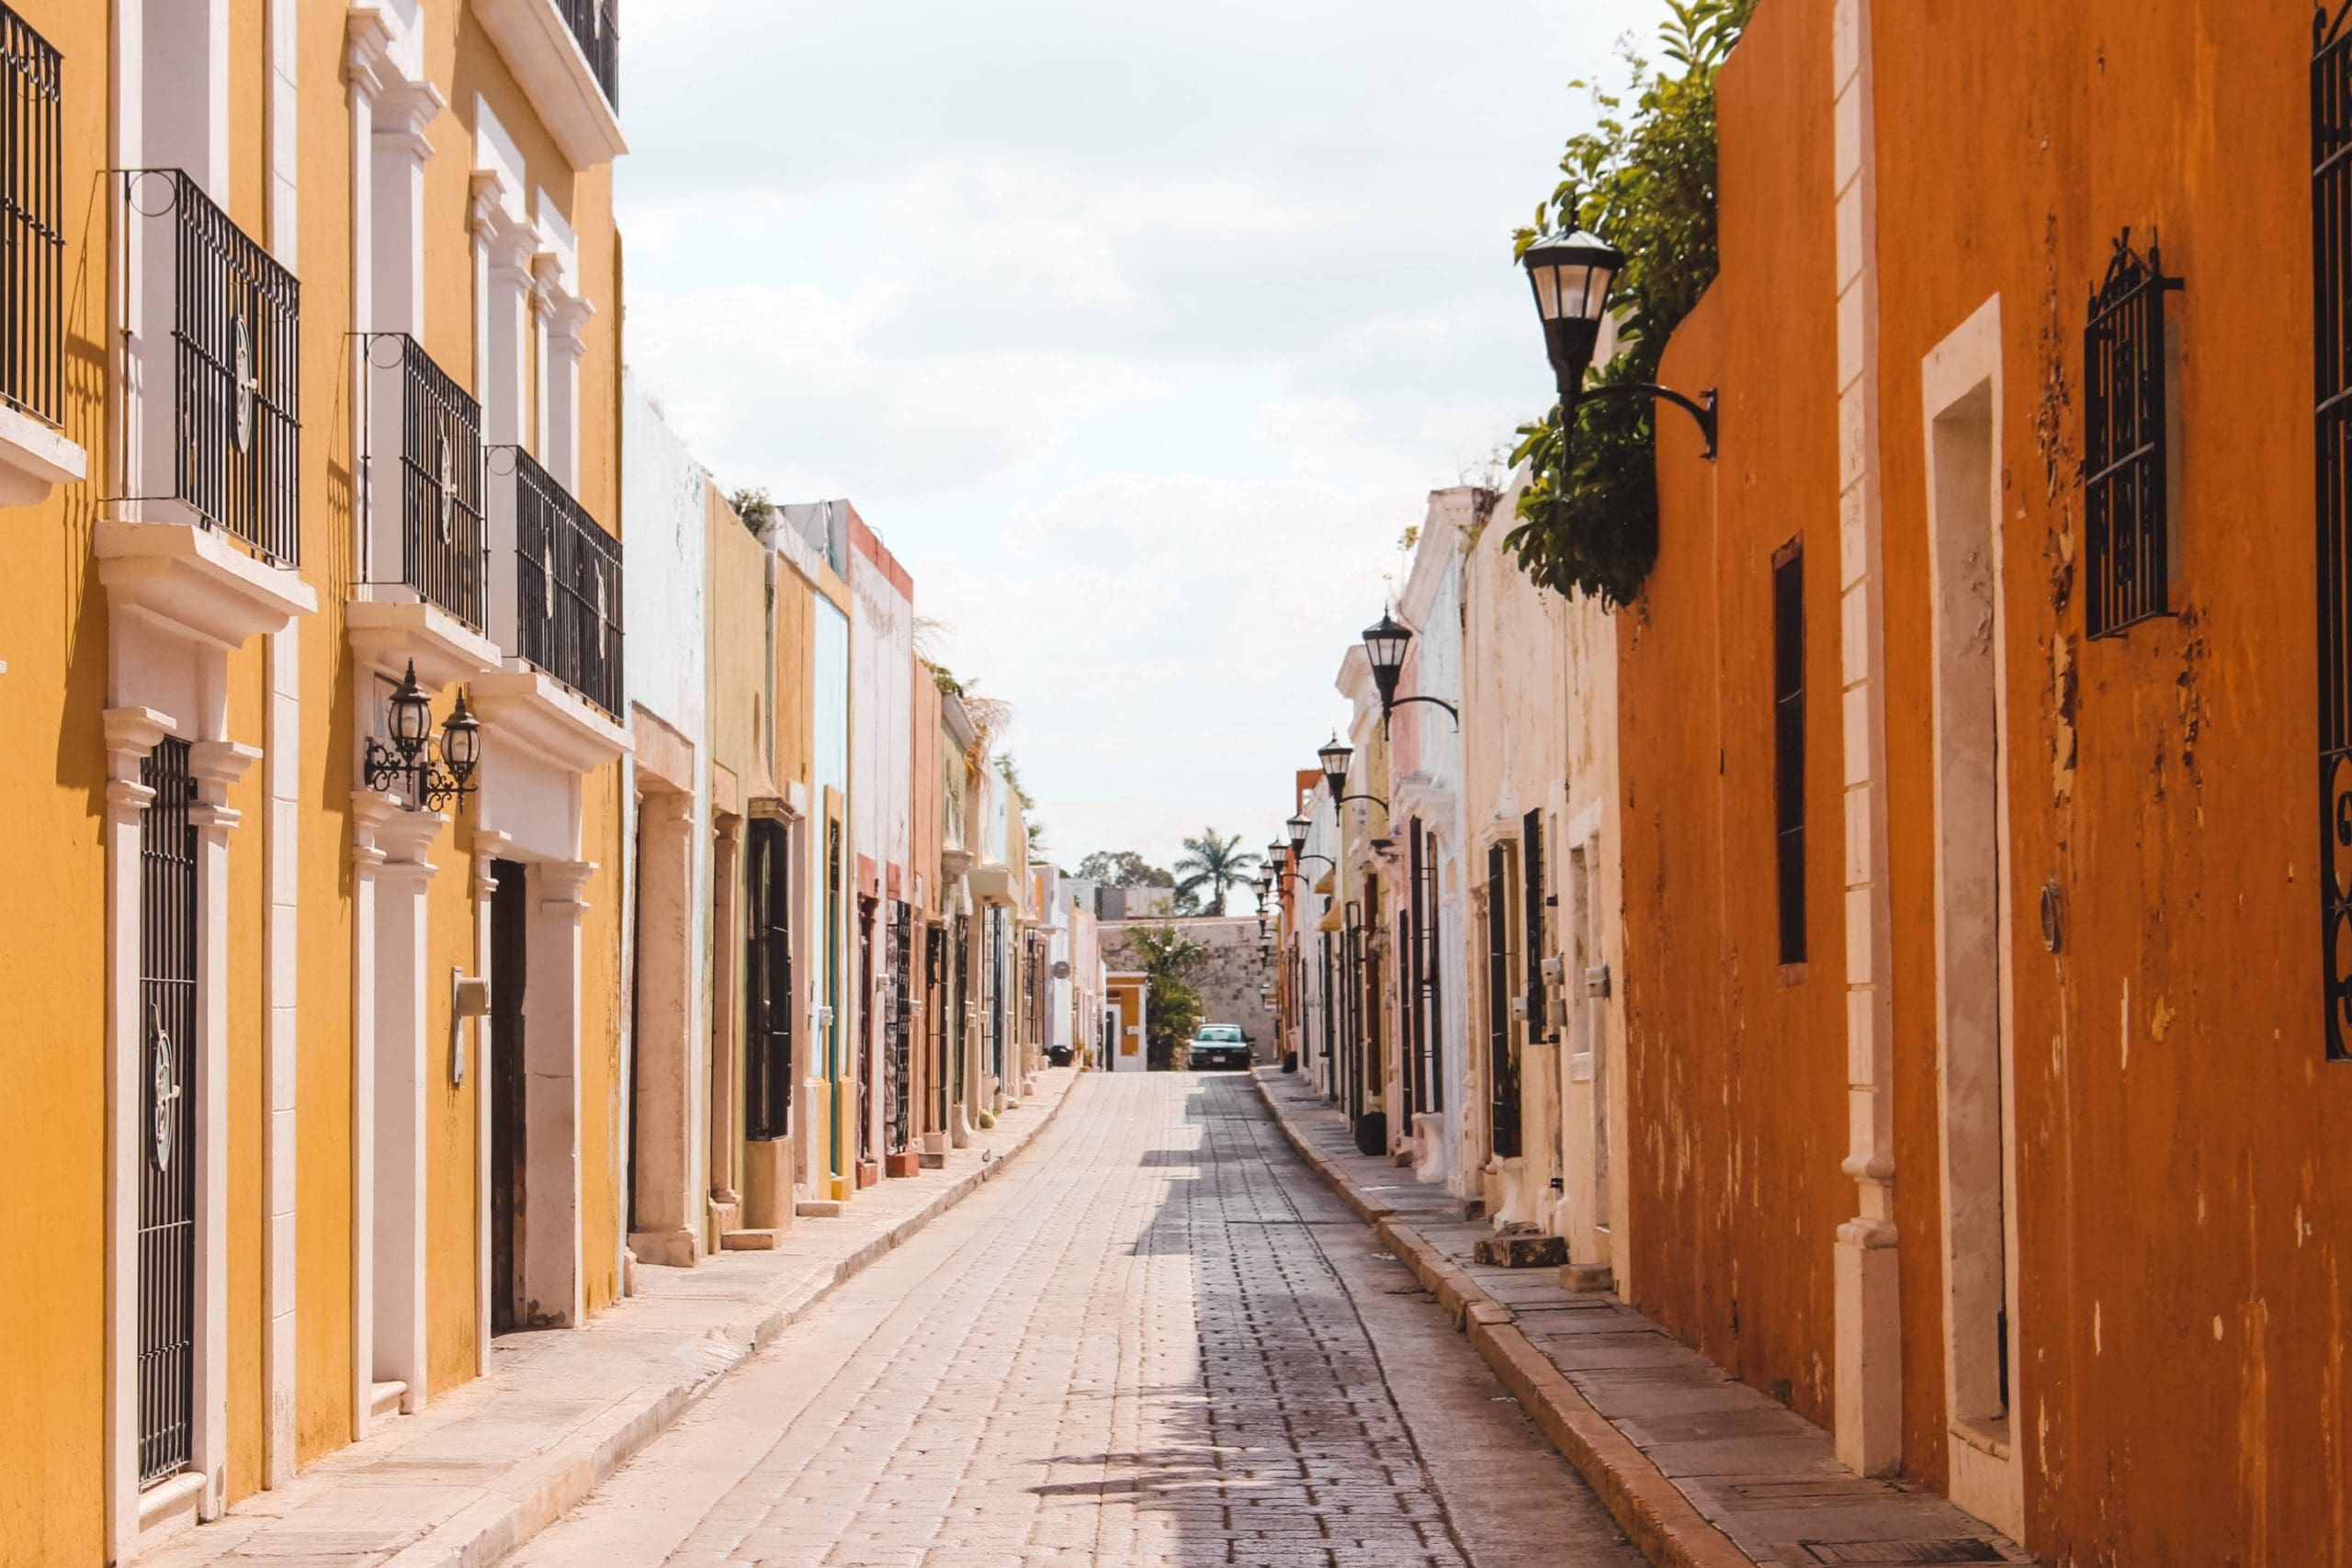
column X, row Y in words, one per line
column 32, row 222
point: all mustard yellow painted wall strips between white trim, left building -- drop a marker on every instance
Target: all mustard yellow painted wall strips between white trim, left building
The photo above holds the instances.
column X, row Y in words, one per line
column 53, row 638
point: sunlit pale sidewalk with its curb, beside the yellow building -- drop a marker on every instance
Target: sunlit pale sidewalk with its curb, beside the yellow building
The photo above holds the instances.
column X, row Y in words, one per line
column 493, row 1463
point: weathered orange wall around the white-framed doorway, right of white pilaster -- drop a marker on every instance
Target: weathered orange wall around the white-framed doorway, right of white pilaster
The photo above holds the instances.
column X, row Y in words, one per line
column 2179, row 1205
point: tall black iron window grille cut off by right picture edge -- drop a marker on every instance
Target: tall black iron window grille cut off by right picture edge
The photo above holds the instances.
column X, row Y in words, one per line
column 2332, row 342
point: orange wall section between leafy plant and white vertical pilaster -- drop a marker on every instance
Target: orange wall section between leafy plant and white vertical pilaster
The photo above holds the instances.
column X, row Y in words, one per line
column 1737, row 1073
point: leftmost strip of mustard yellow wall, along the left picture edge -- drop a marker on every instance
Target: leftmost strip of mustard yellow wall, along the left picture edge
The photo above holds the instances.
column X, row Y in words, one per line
column 53, row 779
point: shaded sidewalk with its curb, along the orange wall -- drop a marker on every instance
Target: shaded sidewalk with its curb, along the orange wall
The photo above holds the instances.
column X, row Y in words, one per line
column 1699, row 1470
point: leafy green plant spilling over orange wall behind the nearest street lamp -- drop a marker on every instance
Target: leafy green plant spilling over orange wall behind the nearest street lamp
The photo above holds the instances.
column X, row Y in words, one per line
column 1643, row 180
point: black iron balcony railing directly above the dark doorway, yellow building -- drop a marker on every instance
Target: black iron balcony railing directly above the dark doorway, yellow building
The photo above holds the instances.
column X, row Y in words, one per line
column 568, row 587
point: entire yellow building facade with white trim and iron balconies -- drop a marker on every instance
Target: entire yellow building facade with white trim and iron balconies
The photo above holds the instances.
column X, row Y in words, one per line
column 312, row 382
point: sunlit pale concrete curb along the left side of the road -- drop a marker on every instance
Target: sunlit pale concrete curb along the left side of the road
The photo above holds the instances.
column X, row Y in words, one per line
column 493, row 1529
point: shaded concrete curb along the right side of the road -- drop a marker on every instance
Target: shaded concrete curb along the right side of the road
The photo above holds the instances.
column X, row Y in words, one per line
column 1648, row 1506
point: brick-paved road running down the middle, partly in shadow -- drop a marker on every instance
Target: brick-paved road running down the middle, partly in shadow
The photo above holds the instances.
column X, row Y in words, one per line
column 1156, row 1341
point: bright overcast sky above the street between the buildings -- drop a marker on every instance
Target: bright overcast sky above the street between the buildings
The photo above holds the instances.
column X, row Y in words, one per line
column 1140, row 333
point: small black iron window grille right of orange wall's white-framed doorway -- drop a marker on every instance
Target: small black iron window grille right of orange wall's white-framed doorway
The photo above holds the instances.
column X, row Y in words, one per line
column 2127, row 525
